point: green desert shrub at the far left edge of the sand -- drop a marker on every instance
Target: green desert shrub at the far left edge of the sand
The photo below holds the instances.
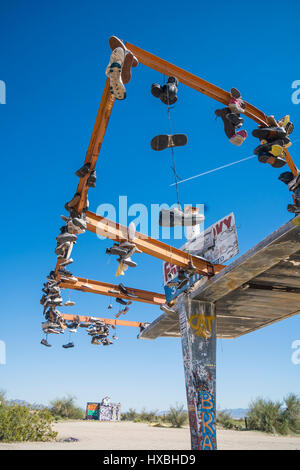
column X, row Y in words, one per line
column 20, row 423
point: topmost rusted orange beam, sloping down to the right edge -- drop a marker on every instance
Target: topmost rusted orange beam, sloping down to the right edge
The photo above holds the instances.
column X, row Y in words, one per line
column 204, row 87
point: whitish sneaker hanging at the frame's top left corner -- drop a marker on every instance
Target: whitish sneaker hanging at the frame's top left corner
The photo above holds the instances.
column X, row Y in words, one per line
column 114, row 73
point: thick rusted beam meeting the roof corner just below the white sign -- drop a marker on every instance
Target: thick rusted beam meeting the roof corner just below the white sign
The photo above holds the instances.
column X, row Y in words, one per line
column 114, row 231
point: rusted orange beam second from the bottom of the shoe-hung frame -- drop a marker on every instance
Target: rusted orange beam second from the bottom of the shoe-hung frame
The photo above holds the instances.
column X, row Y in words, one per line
column 112, row 290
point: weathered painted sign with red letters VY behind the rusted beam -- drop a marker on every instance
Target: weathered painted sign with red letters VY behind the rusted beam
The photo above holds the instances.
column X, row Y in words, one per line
column 217, row 244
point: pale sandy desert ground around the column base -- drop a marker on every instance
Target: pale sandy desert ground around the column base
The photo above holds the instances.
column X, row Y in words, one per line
column 133, row 436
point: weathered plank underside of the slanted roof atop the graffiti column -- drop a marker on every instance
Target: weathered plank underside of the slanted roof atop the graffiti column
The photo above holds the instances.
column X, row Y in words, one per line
column 259, row 288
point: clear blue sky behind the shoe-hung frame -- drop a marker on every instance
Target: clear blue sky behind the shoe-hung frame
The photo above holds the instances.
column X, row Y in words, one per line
column 53, row 65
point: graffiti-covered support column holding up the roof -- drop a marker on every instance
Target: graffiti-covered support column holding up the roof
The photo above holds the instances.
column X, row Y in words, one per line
column 197, row 321
